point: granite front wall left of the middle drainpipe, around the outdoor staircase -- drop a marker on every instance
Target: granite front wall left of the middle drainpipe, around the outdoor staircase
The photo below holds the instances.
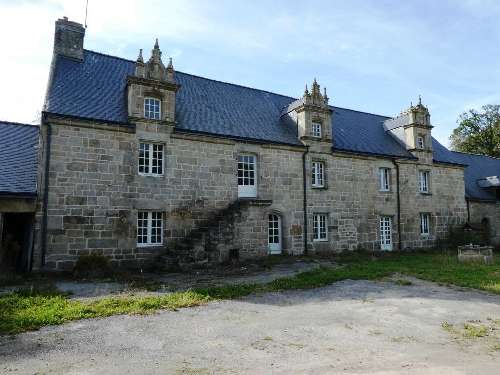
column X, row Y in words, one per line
column 95, row 192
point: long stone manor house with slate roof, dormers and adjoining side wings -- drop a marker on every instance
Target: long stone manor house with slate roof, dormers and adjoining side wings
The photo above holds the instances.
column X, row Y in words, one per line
column 141, row 163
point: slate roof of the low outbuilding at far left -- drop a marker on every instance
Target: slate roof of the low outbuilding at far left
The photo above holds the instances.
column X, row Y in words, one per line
column 18, row 158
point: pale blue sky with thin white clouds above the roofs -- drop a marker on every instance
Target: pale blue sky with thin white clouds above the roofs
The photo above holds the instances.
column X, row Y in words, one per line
column 373, row 56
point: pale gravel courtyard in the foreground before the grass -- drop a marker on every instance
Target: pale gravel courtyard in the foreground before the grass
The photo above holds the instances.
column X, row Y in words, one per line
column 351, row 327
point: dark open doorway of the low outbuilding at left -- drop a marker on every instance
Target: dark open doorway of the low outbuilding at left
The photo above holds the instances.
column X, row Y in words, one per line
column 16, row 241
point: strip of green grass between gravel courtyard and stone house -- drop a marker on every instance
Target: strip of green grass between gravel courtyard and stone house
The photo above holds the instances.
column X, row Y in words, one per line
column 28, row 310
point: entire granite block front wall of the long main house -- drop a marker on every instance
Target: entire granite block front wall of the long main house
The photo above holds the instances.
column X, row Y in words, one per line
column 95, row 193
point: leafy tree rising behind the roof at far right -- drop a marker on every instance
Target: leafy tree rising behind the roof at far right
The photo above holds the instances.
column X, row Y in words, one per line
column 478, row 132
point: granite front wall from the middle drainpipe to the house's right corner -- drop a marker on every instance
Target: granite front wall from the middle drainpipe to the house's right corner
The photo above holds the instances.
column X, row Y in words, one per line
column 354, row 203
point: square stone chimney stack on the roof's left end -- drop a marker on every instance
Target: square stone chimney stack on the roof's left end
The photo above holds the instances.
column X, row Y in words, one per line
column 68, row 39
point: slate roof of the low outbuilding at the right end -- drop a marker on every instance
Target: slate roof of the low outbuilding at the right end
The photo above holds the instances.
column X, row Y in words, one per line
column 478, row 167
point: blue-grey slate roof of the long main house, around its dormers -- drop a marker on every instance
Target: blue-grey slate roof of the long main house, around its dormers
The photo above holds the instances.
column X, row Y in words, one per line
column 96, row 89
